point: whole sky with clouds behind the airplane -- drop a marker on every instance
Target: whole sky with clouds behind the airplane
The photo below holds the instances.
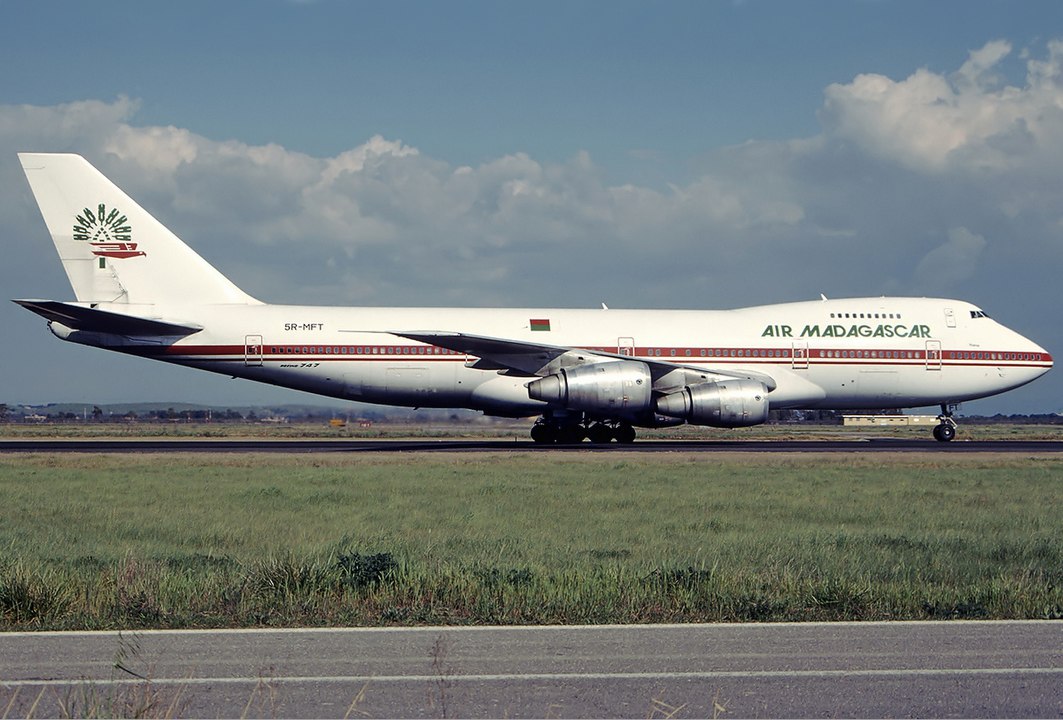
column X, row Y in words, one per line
column 646, row 155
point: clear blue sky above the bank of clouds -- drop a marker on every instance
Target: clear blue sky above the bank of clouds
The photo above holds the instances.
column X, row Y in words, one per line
column 470, row 81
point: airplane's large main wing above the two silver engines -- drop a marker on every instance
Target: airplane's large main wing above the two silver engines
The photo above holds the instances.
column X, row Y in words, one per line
column 538, row 359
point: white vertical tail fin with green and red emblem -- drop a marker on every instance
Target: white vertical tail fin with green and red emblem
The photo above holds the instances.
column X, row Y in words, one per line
column 112, row 249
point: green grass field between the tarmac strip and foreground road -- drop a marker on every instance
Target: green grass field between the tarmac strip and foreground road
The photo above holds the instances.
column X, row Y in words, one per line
column 262, row 540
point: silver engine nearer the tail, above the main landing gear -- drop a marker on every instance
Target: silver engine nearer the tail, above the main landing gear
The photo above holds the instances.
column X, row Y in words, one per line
column 617, row 387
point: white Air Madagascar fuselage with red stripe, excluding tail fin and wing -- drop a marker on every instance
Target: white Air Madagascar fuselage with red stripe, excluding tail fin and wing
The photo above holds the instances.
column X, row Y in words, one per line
column 857, row 354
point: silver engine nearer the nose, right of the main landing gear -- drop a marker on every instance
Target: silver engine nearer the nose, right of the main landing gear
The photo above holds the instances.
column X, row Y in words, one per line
column 728, row 404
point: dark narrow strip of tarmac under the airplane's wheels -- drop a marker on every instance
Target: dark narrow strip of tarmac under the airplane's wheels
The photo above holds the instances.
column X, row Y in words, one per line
column 312, row 446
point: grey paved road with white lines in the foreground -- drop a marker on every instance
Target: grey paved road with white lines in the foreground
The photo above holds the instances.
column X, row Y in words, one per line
column 923, row 669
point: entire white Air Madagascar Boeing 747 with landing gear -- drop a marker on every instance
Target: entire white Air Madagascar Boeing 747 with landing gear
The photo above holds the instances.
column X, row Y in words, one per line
column 593, row 375
